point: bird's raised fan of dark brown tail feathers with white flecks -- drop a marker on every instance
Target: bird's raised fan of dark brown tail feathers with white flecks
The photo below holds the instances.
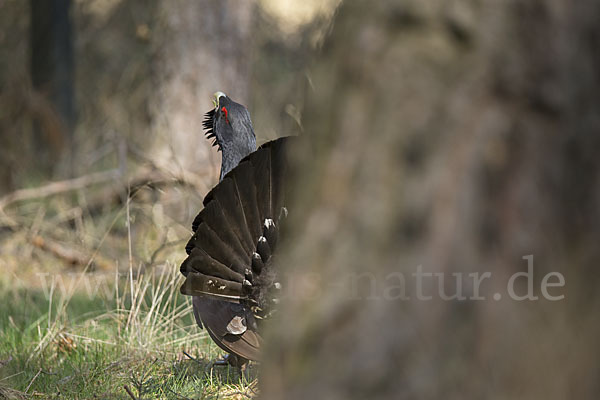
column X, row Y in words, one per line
column 240, row 219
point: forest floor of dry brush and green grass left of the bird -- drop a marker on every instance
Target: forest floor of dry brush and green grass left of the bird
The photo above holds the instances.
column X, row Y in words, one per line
column 90, row 307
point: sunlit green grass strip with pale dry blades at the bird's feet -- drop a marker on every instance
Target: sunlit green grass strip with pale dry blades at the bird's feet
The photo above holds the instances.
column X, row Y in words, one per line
column 91, row 345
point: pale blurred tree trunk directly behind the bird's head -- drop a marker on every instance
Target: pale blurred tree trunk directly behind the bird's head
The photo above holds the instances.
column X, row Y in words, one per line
column 203, row 47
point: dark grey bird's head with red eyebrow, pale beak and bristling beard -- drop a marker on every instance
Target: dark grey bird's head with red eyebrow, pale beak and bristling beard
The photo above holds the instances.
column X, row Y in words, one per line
column 230, row 125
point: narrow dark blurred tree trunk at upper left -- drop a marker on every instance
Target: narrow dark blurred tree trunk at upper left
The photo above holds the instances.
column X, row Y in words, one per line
column 52, row 75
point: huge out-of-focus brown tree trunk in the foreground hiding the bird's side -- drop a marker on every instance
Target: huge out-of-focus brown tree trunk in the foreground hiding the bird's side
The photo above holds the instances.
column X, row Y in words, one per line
column 460, row 136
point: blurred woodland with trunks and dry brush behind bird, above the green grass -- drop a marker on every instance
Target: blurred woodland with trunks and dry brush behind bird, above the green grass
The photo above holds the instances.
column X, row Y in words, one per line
column 107, row 97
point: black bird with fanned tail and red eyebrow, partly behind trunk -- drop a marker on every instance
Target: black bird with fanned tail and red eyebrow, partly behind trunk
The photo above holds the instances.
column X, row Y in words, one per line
column 231, row 267
